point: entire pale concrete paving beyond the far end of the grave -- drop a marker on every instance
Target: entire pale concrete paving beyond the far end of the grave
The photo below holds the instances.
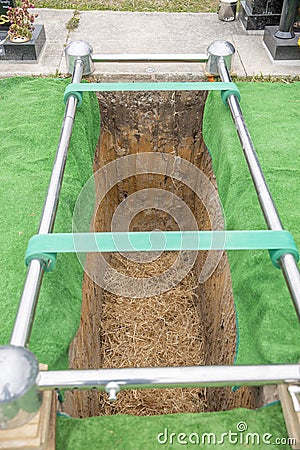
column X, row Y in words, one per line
column 127, row 32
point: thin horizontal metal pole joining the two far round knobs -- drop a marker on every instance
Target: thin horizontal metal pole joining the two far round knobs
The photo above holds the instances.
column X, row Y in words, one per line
column 142, row 58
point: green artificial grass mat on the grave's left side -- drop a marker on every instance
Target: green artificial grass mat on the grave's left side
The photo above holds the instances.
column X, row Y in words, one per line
column 31, row 113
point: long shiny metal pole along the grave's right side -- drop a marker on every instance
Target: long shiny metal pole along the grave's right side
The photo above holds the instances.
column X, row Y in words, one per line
column 287, row 262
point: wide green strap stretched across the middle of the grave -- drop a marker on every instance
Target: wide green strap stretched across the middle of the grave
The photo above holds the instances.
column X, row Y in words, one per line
column 46, row 246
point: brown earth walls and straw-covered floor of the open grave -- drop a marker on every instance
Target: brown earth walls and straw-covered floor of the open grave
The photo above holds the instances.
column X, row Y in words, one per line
column 192, row 323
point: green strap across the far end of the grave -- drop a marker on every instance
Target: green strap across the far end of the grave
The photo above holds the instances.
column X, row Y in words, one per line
column 226, row 88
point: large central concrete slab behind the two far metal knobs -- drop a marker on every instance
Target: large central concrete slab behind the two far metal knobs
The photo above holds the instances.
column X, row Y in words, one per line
column 121, row 32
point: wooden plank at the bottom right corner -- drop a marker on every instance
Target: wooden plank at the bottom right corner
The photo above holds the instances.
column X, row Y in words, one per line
column 292, row 418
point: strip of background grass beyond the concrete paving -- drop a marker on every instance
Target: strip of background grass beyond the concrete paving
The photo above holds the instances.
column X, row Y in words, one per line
column 132, row 5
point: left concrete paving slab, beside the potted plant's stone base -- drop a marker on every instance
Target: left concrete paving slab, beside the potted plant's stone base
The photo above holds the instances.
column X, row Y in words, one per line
column 52, row 54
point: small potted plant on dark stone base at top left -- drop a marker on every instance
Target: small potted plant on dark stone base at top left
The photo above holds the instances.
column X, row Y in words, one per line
column 21, row 20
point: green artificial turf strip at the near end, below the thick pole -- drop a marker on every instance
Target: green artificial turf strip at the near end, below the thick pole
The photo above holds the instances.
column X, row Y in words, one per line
column 265, row 429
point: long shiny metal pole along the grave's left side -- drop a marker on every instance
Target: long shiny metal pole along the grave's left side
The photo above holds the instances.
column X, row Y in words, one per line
column 25, row 315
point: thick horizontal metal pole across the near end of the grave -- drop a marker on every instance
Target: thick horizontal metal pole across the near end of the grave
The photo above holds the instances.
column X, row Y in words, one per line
column 170, row 377
